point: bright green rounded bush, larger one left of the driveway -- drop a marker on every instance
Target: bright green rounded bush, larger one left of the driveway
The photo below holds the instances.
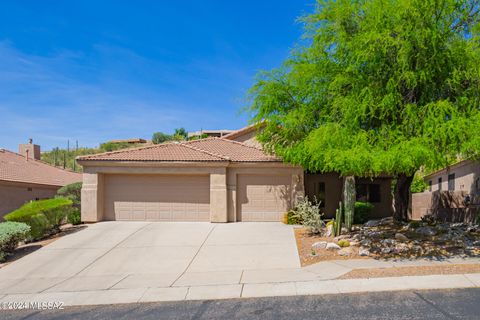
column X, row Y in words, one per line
column 43, row 216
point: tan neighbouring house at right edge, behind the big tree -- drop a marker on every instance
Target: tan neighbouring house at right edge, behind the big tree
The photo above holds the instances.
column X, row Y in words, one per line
column 453, row 193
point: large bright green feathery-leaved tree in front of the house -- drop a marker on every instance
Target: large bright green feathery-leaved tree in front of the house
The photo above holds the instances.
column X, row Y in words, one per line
column 377, row 87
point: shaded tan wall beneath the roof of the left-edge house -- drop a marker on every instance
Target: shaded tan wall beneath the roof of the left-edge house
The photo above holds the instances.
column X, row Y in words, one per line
column 13, row 195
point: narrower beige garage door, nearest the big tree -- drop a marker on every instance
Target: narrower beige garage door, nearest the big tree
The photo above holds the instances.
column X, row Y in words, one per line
column 263, row 197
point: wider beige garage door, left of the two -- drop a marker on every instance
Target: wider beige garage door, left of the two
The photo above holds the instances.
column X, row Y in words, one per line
column 157, row 197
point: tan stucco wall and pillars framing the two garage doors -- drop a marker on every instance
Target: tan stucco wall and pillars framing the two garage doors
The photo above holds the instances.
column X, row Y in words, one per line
column 222, row 183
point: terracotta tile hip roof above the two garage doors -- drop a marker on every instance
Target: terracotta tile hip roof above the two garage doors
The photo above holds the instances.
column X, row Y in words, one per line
column 202, row 150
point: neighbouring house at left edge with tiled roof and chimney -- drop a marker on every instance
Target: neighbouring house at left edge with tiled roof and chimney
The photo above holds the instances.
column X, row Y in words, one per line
column 23, row 177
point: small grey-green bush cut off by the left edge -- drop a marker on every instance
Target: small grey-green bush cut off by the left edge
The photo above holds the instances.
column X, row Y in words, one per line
column 11, row 233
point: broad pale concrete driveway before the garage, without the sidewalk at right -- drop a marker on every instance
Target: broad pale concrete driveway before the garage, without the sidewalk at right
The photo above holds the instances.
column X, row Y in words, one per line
column 139, row 255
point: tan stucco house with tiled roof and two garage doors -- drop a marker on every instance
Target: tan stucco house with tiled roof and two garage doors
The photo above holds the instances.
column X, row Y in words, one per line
column 214, row 179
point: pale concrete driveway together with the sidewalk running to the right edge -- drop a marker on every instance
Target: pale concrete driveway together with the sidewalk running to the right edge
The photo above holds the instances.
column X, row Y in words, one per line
column 116, row 262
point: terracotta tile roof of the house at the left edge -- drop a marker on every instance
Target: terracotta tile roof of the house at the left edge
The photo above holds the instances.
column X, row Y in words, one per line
column 14, row 167
